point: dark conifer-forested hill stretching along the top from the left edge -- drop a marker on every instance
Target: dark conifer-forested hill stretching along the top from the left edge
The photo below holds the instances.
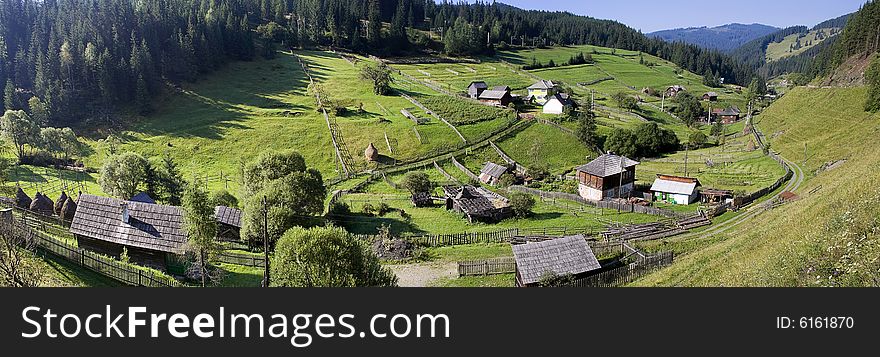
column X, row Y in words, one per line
column 80, row 59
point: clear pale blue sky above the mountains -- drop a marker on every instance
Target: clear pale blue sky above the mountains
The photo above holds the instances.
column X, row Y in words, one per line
column 653, row 15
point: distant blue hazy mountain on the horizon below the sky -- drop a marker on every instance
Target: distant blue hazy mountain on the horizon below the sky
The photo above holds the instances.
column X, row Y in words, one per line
column 725, row 38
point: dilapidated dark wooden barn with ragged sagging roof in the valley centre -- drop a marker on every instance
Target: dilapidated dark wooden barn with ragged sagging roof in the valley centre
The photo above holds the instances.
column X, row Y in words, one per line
column 477, row 204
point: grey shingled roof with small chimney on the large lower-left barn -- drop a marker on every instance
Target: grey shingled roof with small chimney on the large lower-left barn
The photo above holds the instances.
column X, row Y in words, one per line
column 149, row 226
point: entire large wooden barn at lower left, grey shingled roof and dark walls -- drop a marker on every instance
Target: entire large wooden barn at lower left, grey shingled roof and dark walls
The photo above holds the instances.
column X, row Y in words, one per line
column 153, row 234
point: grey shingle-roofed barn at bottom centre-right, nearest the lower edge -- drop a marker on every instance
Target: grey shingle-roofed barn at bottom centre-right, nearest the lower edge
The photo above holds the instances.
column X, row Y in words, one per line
column 569, row 256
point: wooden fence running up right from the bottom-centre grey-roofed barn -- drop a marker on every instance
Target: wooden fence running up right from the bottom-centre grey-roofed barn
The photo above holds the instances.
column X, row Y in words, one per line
column 625, row 274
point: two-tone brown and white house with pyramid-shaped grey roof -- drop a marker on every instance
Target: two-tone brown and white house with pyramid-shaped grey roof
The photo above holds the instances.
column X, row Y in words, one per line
column 608, row 176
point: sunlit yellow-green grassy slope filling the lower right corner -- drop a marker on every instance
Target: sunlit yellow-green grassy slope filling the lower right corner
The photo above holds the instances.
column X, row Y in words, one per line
column 827, row 238
